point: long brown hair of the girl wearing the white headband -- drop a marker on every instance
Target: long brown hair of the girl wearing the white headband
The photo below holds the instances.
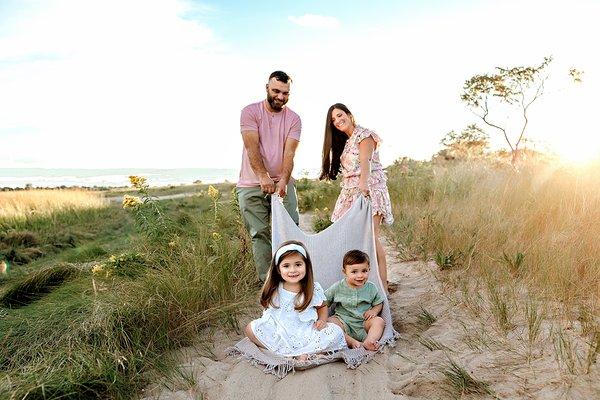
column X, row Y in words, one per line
column 304, row 297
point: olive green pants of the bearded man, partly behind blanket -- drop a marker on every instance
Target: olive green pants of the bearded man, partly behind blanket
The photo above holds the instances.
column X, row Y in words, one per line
column 255, row 207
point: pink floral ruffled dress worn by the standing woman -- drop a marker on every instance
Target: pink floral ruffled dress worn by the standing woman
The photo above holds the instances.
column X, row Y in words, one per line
column 350, row 163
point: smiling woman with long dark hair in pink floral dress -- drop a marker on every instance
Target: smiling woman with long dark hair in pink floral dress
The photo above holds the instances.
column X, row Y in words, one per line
column 354, row 150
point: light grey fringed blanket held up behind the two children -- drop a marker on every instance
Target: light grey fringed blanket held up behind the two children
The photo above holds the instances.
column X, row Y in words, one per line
column 327, row 248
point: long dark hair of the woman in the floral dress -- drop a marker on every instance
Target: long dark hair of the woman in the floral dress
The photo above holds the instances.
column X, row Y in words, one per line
column 333, row 144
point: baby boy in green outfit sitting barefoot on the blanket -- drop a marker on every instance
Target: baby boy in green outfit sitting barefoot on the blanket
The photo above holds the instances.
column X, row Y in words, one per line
column 358, row 303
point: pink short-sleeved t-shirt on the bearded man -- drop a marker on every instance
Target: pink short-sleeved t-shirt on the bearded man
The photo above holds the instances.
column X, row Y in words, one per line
column 273, row 130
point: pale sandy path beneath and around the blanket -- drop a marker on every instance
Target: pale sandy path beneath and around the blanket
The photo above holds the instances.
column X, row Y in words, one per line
column 410, row 370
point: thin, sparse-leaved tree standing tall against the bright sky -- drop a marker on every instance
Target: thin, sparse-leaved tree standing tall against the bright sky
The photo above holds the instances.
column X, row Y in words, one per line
column 510, row 91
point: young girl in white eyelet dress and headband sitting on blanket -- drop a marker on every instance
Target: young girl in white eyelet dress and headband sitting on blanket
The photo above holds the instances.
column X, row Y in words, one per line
column 294, row 320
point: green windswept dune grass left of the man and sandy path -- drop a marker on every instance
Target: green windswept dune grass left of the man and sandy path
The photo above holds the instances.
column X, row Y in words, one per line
column 106, row 329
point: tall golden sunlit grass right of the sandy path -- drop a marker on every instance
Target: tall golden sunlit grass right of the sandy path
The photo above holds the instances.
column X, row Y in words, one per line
column 539, row 224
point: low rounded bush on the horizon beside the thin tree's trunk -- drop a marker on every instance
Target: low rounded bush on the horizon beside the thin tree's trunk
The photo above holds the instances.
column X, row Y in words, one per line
column 471, row 142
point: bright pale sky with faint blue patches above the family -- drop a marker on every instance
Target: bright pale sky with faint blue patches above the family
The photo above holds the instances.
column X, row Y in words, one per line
column 160, row 84
